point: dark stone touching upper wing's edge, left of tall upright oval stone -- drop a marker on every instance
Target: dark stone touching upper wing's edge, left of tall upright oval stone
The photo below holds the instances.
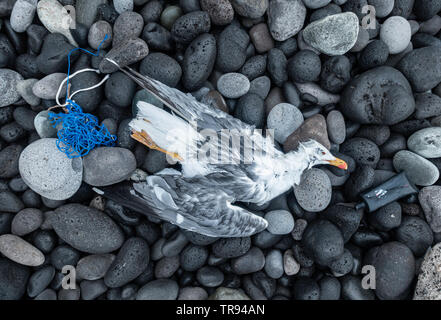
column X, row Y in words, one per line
column 161, row 67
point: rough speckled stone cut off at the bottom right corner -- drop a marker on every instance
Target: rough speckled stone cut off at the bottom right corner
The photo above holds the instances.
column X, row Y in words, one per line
column 429, row 278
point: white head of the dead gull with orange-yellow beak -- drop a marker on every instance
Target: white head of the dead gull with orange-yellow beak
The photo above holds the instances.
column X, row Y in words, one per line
column 318, row 154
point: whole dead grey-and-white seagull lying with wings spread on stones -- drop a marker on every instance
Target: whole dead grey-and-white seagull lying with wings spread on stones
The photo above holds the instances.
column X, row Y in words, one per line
column 200, row 197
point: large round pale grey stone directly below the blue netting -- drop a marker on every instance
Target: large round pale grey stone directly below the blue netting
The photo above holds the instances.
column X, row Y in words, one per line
column 48, row 171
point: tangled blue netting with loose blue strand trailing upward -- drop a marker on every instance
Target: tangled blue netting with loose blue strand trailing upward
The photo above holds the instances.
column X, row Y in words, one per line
column 80, row 132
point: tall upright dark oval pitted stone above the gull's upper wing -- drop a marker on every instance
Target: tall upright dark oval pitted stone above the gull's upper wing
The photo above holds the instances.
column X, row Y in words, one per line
column 198, row 61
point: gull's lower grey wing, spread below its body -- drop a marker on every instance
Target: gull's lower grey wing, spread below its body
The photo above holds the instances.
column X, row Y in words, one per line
column 188, row 204
